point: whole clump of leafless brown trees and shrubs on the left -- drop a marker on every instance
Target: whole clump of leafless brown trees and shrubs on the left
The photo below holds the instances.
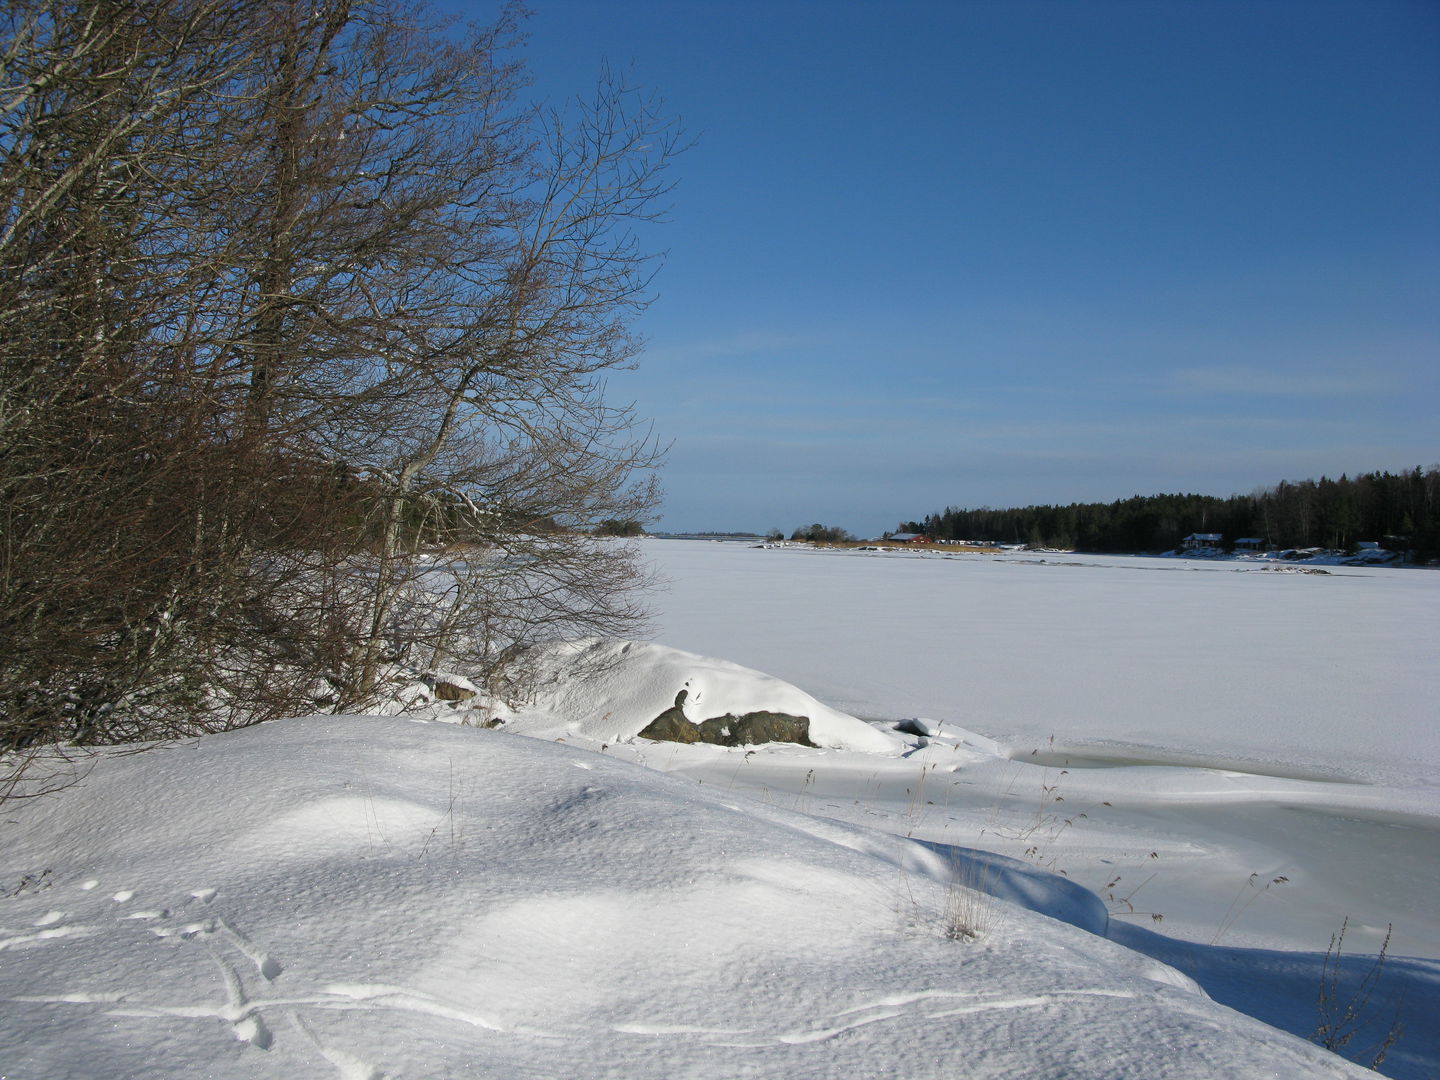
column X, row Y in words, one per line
column 294, row 294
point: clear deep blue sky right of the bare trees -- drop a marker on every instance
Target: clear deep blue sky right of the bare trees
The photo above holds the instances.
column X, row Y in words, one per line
column 1000, row 253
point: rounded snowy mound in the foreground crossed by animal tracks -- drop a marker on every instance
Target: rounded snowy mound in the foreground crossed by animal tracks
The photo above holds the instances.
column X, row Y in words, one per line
column 379, row 898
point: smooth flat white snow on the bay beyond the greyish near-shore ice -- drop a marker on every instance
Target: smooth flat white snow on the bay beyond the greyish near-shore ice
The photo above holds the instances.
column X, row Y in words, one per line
column 1222, row 659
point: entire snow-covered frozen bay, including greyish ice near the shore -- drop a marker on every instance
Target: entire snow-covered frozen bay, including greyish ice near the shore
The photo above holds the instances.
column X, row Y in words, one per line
column 1225, row 716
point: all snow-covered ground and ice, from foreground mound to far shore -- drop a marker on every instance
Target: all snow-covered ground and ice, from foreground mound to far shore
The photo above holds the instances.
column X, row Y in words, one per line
column 1144, row 796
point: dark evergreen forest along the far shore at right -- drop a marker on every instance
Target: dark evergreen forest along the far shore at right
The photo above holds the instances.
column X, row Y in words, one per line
column 1400, row 510
